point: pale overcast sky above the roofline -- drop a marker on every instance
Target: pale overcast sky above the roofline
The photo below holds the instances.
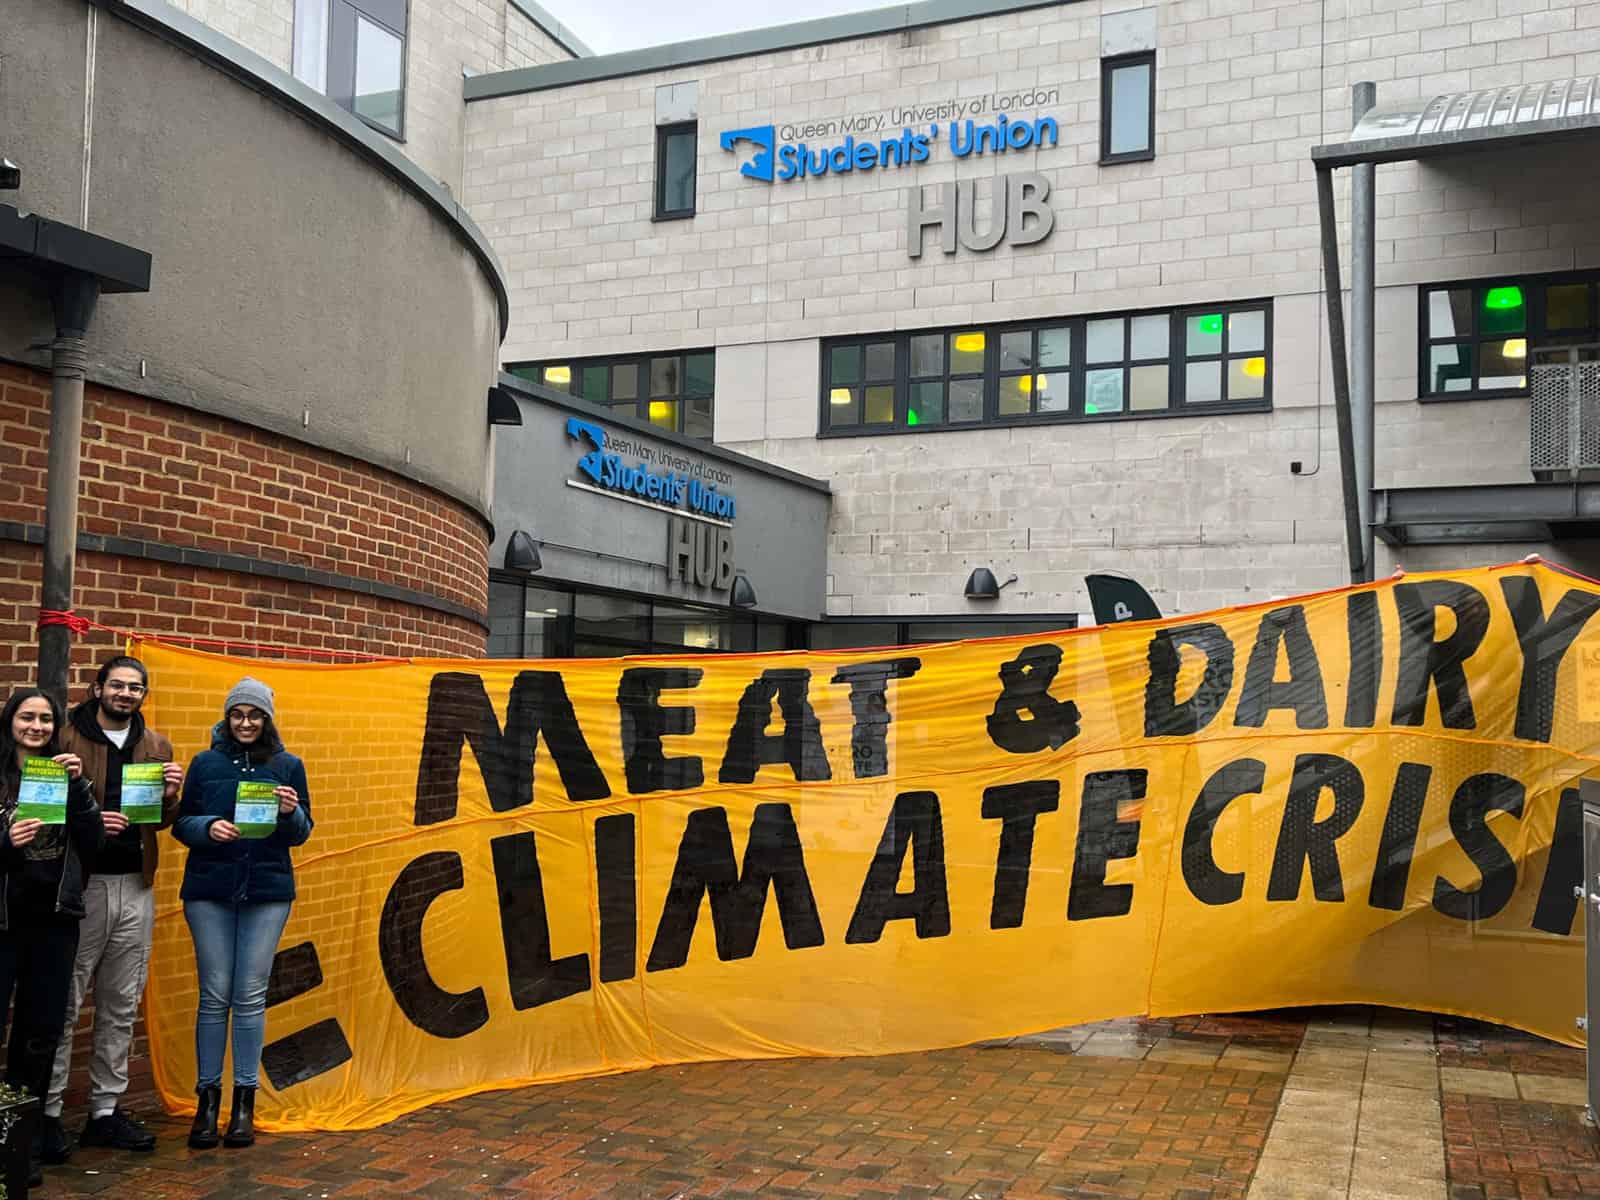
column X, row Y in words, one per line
column 610, row 26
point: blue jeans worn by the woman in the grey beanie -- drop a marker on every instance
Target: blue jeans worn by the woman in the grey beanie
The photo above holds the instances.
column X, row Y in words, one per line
column 234, row 951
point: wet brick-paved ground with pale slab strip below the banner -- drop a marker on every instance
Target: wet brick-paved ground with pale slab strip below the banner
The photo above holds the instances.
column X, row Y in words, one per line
column 1306, row 1105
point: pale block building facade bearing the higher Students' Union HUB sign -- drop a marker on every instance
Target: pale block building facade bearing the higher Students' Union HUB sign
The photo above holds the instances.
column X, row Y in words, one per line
column 1039, row 287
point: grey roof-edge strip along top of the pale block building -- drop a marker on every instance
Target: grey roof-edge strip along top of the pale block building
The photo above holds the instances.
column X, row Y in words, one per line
column 846, row 28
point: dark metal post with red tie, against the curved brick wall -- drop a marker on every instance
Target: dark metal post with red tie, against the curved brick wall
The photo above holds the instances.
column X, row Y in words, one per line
column 73, row 298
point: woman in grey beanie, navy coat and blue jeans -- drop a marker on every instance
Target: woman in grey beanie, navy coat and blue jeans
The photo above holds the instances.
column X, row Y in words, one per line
column 246, row 806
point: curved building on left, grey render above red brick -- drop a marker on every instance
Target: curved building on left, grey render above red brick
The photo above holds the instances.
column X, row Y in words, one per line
column 287, row 438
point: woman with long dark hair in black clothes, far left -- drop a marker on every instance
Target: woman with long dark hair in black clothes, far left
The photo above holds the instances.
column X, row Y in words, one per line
column 44, row 868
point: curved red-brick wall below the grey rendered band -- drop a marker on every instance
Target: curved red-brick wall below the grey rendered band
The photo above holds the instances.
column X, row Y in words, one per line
column 161, row 474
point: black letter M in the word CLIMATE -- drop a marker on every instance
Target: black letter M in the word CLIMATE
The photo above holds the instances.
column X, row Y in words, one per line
column 706, row 868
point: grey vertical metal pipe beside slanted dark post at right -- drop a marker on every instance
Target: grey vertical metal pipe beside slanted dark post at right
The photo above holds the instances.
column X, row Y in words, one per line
column 1364, row 302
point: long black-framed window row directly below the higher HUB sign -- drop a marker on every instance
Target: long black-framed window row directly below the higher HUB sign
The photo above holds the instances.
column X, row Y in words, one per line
column 1086, row 369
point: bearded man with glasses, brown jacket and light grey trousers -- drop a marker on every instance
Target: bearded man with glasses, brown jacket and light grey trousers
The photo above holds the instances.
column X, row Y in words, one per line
column 110, row 735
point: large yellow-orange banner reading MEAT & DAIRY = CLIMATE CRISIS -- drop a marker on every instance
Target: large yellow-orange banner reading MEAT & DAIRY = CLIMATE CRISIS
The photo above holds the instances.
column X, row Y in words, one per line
column 537, row 871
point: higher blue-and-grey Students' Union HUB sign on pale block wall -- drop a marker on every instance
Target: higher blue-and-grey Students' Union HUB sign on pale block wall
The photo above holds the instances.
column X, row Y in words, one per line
column 974, row 127
